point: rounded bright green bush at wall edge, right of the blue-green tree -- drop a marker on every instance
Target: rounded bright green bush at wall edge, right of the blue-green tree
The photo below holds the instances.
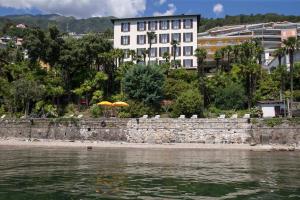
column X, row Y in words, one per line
column 188, row 103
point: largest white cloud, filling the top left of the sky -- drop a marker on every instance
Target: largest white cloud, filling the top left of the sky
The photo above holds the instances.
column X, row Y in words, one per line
column 82, row 8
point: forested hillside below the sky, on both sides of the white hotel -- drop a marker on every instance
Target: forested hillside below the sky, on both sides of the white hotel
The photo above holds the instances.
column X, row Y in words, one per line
column 100, row 24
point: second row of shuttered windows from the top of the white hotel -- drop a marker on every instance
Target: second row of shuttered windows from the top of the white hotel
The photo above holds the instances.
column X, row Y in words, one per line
column 163, row 38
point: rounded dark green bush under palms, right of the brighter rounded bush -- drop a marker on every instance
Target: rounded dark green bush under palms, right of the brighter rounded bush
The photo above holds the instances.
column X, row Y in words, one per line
column 232, row 96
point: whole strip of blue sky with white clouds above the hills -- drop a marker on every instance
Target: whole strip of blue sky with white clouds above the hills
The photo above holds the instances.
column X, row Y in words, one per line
column 136, row 8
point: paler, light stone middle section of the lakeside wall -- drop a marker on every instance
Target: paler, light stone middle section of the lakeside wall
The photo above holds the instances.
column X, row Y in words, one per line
column 189, row 131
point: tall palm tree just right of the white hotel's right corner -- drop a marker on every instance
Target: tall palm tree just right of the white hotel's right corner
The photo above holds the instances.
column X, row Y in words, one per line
column 200, row 54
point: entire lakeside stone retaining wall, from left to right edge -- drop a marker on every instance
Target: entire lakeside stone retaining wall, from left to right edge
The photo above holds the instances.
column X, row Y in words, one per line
column 210, row 131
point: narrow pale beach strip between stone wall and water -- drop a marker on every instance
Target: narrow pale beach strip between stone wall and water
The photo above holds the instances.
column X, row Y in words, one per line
column 118, row 145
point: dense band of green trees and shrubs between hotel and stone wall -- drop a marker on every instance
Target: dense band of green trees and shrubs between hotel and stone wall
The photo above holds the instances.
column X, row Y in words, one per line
column 65, row 77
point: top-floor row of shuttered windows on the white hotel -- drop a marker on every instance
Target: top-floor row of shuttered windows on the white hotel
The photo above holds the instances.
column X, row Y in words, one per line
column 163, row 25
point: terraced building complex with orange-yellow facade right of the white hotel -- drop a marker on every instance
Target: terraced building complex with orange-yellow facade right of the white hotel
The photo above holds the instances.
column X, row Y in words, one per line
column 270, row 34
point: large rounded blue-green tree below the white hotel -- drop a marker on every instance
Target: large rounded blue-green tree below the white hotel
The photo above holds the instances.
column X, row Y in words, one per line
column 144, row 84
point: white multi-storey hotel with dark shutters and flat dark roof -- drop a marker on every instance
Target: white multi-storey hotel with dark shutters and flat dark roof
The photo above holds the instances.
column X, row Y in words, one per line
column 131, row 34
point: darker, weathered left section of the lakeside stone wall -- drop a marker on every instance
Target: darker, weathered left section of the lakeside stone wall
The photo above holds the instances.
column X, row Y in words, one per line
column 66, row 129
